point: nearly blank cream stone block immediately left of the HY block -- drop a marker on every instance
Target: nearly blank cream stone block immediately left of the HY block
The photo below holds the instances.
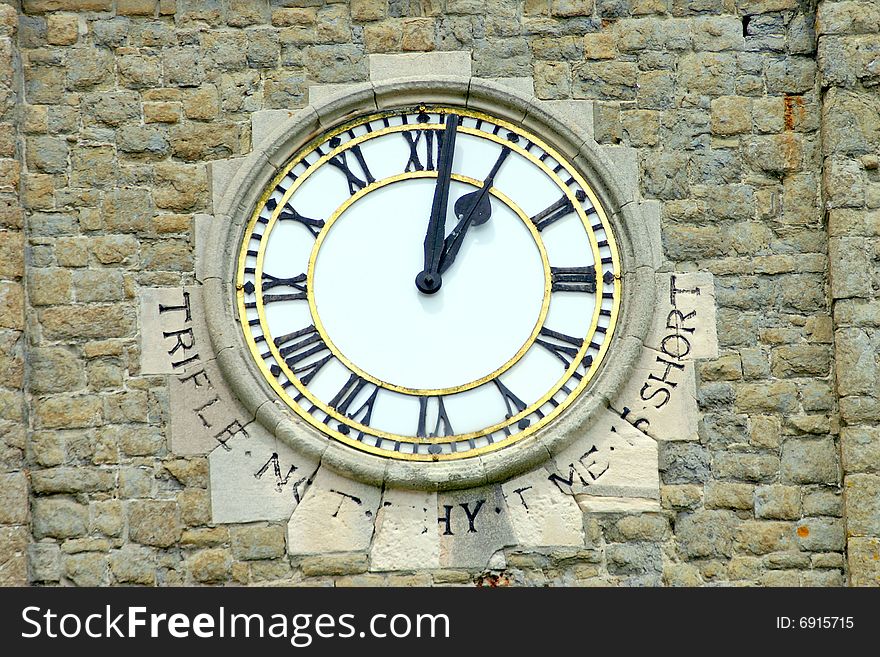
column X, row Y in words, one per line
column 407, row 536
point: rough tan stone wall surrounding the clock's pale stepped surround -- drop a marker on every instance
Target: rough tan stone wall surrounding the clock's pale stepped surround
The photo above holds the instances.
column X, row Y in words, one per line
column 125, row 102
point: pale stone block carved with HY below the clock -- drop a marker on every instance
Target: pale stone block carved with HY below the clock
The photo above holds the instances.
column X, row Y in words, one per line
column 473, row 524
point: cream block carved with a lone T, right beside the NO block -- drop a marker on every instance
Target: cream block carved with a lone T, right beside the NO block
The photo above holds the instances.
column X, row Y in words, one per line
column 336, row 515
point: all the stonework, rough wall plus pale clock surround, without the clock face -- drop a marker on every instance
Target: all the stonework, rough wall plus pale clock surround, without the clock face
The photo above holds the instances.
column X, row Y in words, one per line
column 734, row 434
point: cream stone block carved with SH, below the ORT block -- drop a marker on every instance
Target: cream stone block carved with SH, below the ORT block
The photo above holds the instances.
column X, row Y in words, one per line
column 659, row 397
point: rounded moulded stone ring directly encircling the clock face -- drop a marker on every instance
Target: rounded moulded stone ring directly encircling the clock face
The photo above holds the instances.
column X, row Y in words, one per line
column 257, row 169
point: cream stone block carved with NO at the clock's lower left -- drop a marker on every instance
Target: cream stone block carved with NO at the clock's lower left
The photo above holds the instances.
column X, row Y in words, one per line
column 257, row 477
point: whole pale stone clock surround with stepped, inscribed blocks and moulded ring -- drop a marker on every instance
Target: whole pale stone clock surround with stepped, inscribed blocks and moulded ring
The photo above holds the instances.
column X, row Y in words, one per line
column 266, row 464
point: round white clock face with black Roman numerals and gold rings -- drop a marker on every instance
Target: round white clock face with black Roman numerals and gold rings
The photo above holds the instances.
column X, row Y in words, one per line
column 428, row 283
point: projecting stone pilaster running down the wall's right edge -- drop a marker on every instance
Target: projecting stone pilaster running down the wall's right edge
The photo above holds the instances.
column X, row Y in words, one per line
column 849, row 66
